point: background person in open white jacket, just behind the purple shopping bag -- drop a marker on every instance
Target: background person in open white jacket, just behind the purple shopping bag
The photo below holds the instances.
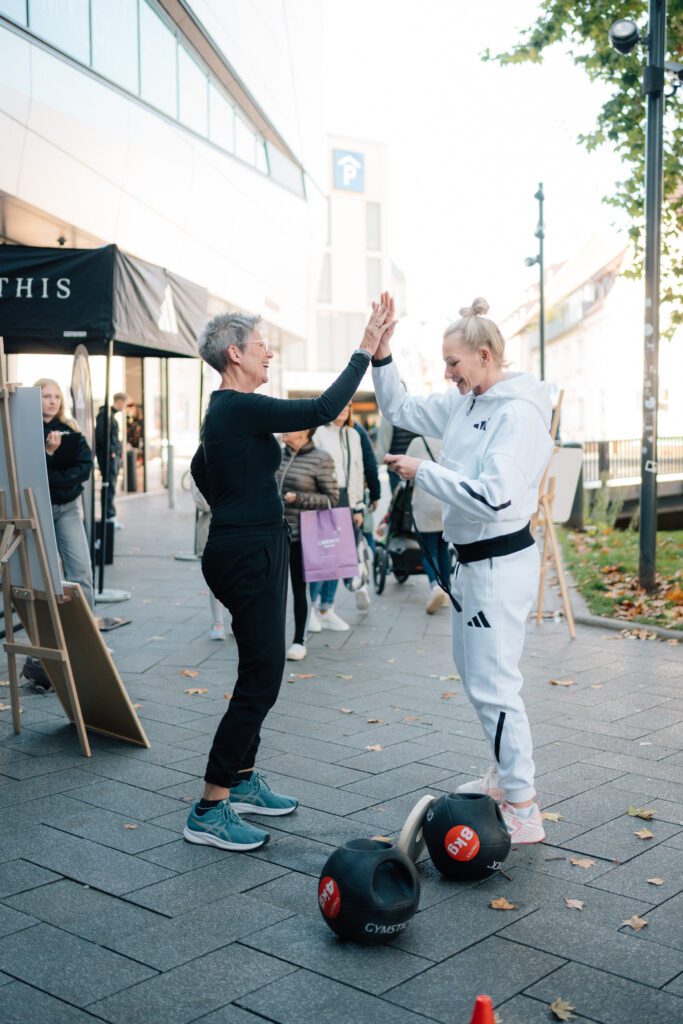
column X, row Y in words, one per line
column 341, row 442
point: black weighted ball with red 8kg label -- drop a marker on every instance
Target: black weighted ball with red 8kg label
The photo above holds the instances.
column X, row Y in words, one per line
column 466, row 836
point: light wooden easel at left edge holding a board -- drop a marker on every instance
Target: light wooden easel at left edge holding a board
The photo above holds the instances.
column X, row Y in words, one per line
column 16, row 528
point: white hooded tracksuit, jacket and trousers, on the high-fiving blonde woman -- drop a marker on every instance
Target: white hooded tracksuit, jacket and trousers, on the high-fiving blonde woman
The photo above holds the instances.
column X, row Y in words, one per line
column 496, row 449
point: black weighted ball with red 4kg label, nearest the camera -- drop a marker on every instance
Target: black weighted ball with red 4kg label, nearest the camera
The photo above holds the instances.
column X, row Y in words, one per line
column 369, row 891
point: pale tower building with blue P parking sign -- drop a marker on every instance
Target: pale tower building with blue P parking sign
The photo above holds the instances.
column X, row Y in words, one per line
column 356, row 266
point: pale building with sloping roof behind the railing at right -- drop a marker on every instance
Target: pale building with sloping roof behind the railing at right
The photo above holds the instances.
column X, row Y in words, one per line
column 594, row 346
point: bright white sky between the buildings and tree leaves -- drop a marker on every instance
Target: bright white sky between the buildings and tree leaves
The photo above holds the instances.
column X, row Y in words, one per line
column 469, row 143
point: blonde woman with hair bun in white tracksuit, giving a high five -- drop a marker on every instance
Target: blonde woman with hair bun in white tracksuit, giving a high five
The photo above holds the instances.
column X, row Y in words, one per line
column 497, row 445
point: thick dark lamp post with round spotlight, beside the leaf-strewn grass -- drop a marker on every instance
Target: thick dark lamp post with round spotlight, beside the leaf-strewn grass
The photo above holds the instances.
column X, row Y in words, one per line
column 624, row 36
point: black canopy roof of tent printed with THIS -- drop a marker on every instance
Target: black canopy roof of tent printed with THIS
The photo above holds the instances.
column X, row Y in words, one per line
column 53, row 301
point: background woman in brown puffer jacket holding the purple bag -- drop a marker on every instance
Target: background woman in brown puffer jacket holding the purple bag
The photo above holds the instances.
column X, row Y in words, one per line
column 308, row 481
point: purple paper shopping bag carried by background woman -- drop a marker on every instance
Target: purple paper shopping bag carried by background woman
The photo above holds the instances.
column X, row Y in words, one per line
column 328, row 545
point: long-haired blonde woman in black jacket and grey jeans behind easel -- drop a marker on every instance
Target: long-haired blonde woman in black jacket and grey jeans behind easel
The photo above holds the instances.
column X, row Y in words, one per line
column 69, row 466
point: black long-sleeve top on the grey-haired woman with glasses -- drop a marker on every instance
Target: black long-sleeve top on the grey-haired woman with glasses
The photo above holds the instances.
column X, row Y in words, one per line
column 236, row 464
